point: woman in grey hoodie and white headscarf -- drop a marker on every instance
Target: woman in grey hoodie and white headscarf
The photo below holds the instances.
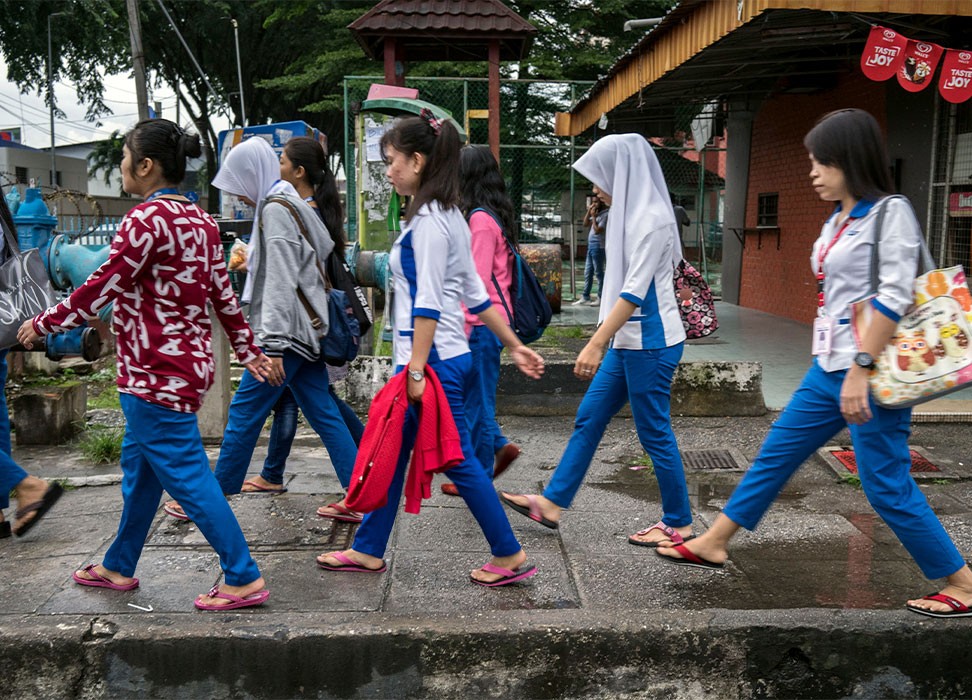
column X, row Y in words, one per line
column 283, row 265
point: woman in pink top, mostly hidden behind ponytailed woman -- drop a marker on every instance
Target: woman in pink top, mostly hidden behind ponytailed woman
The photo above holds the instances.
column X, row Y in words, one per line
column 489, row 211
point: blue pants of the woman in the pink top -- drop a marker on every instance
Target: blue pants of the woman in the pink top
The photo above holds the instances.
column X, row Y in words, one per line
column 480, row 406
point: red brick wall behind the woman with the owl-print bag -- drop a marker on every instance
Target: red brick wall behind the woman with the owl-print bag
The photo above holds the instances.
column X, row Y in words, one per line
column 781, row 281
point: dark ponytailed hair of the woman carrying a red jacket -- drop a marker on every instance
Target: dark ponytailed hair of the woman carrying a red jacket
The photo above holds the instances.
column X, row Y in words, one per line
column 439, row 180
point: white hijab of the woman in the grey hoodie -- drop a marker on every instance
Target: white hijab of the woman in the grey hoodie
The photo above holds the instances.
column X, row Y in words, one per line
column 252, row 169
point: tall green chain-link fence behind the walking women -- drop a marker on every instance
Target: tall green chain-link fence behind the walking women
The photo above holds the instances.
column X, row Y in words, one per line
column 549, row 197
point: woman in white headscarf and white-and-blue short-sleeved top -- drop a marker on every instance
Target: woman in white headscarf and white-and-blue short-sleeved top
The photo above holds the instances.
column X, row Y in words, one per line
column 638, row 344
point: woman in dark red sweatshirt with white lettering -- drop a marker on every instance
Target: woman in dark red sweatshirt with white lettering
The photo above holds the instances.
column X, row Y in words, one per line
column 165, row 267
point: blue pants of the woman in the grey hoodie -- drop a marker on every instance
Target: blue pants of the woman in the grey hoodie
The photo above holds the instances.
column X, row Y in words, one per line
column 251, row 405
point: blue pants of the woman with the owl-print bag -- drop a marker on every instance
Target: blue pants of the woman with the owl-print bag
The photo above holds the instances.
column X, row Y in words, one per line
column 883, row 462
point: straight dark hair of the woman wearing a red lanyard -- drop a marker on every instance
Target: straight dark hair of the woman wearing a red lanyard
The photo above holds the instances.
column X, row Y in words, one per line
column 850, row 139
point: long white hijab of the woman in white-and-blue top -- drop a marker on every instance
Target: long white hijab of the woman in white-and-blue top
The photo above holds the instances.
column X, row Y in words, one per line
column 626, row 167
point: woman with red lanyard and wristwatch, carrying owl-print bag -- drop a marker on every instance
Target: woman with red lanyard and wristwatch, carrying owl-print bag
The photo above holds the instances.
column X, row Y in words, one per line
column 849, row 165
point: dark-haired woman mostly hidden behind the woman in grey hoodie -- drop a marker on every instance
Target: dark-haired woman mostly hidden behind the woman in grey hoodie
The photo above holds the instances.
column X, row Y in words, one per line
column 304, row 165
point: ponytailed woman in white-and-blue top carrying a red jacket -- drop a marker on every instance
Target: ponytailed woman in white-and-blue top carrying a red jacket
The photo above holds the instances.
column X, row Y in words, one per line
column 434, row 275
